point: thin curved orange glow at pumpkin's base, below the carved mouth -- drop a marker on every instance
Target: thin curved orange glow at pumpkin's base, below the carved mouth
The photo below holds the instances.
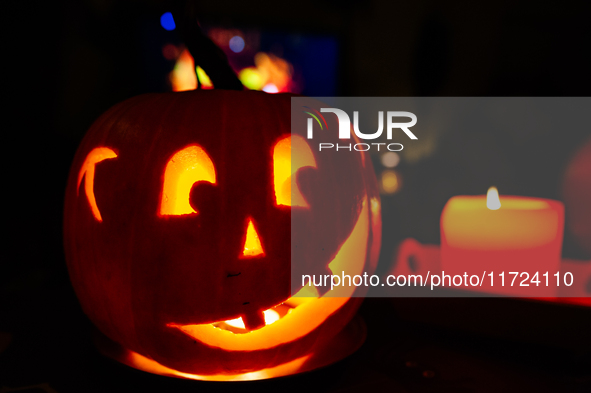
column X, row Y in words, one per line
column 143, row 363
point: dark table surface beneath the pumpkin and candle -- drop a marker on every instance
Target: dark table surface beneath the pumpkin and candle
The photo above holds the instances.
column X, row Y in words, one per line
column 413, row 345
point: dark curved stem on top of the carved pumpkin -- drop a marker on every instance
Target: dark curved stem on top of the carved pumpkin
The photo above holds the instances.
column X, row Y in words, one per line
column 205, row 52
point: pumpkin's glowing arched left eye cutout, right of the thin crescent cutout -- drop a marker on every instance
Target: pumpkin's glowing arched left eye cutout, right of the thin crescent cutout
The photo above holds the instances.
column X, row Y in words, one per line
column 190, row 165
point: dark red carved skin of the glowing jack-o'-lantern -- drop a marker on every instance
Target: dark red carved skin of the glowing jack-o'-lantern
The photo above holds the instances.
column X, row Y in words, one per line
column 137, row 272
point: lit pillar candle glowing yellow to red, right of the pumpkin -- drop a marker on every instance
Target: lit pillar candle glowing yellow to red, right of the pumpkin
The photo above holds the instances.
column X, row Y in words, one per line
column 481, row 235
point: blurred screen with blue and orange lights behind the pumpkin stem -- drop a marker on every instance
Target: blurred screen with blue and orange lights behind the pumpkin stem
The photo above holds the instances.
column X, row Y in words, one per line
column 269, row 61
